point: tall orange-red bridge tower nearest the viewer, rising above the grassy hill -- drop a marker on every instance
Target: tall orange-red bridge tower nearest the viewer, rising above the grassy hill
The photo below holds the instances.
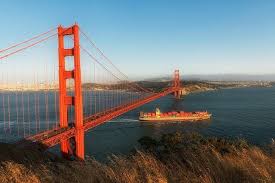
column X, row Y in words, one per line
column 75, row 99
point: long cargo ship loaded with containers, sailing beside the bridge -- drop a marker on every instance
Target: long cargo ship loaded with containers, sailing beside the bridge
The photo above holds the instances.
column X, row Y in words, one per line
column 174, row 116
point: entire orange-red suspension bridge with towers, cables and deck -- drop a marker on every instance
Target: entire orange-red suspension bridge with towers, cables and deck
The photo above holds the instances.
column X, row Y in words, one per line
column 54, row 101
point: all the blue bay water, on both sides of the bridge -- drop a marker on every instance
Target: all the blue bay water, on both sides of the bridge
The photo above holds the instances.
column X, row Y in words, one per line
column 240, row 113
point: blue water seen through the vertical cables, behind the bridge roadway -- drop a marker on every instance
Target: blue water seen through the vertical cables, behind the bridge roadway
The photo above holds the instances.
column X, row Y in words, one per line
column 26, row 113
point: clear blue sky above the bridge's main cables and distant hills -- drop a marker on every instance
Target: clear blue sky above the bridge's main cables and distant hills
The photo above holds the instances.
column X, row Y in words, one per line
column 154, row 37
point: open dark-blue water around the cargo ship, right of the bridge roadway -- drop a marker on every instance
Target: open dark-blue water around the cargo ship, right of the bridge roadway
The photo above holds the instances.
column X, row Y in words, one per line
column 239, row 113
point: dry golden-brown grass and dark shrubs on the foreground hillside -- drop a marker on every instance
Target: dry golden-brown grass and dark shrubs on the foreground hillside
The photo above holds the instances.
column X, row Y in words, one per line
column 172, row 158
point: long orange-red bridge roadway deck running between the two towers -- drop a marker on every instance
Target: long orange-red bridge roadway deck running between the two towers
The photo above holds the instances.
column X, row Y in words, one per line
column 52, row 137
